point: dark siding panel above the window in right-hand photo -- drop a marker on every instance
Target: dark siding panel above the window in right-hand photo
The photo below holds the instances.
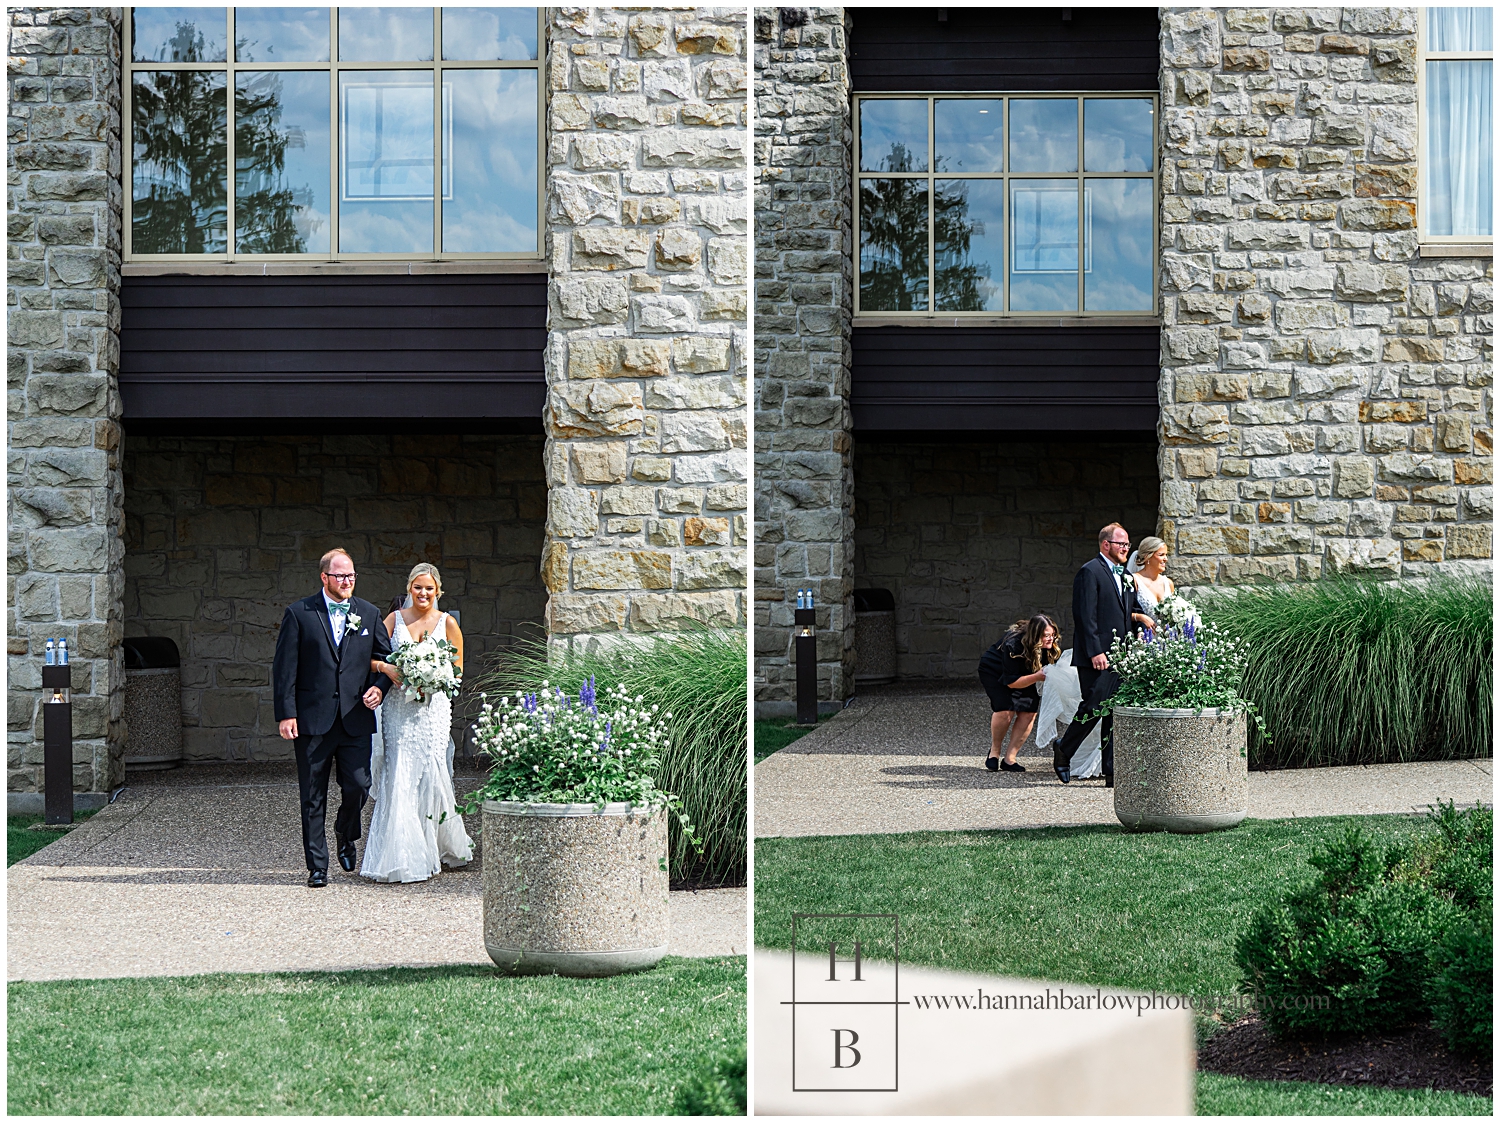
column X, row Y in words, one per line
column 1004, row 49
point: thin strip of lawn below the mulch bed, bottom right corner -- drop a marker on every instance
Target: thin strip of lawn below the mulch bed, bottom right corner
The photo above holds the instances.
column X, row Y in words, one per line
column 1234, row 1097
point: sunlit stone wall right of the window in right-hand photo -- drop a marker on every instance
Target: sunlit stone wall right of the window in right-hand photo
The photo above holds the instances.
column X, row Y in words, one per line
column 1325, row 401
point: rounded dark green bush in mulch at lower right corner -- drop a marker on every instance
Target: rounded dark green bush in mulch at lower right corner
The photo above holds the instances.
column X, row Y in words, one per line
column 1382, row 941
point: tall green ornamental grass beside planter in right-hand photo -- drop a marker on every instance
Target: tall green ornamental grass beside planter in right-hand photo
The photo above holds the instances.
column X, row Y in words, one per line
column 1360, row 672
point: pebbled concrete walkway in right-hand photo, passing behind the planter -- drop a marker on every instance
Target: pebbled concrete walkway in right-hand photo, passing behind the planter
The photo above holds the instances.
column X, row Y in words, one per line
column 910, row 758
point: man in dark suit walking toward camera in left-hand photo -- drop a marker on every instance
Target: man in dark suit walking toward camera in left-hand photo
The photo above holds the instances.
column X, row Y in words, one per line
column 326, row 696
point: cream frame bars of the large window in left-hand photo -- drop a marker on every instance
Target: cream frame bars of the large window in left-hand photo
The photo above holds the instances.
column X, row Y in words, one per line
column 332, row 68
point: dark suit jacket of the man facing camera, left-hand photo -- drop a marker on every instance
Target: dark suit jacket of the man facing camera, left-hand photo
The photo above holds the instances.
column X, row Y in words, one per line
column 313, row 681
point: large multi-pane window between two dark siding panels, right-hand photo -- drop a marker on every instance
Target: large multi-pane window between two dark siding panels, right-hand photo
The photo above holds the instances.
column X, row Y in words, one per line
column 1016, row 205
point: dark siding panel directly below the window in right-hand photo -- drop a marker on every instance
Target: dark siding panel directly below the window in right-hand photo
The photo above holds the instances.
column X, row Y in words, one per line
column 1006, row 379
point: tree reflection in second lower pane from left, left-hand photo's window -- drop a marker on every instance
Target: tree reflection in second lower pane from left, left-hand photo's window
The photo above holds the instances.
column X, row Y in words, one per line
column 266, row 208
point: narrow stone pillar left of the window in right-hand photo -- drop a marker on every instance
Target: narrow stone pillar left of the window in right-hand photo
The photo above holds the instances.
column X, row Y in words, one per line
column 805, row 277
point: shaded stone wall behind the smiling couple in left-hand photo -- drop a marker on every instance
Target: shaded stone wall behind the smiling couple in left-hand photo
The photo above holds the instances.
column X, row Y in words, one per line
column 224, row 533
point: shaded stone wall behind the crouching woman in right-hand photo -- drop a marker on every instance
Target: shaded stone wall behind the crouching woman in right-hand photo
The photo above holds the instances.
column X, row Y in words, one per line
column 971, row 536
